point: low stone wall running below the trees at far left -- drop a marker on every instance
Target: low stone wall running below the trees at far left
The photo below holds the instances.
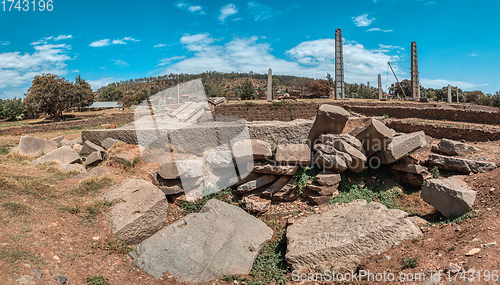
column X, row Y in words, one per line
column 65, row 125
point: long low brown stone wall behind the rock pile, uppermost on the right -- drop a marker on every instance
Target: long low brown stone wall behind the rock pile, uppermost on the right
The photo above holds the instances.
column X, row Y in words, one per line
column 290, row 111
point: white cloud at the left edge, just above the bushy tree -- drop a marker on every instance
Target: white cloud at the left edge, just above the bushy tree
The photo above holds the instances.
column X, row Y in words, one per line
column 18, row 69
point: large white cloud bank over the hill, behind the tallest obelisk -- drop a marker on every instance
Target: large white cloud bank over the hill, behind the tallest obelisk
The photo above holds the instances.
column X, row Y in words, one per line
column 310, row 58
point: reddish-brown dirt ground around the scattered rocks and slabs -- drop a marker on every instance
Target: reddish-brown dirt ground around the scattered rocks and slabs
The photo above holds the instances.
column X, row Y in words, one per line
column 49, row 223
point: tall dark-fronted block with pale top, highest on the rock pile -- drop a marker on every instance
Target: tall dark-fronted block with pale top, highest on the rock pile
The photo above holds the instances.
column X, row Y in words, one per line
column 330, row 120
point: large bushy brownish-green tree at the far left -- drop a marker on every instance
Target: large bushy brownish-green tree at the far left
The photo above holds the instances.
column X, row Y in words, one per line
column 51, row 95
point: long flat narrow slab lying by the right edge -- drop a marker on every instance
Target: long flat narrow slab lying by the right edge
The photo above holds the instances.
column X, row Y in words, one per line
column 460, row 164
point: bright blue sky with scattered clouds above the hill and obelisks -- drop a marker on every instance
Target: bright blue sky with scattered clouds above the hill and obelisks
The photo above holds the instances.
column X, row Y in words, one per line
column 105, row 41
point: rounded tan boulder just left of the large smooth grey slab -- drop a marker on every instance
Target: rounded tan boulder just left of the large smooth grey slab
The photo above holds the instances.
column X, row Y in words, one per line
column 140, row 212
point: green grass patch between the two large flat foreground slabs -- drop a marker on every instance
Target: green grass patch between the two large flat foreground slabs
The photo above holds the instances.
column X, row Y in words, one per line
column 270, row 265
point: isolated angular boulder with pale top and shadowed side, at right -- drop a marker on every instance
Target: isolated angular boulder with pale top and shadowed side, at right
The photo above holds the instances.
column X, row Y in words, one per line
column 451, row 196
